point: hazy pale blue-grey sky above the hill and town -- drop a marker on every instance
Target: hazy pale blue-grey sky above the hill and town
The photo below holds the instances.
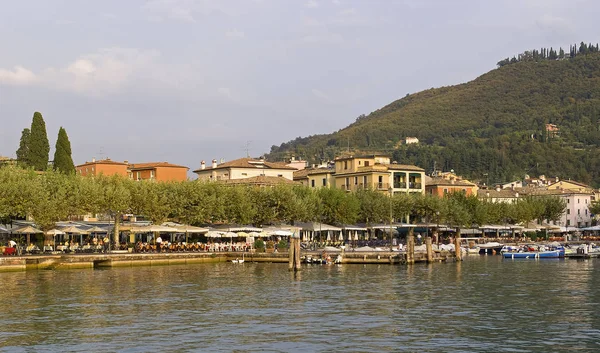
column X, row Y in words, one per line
column 190, row 80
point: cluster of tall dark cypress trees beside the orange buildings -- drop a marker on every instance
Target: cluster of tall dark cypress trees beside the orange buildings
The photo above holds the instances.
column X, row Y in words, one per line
column 34, row 148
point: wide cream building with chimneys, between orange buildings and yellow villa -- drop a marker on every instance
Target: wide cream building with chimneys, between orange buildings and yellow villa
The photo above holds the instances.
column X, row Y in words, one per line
column 243, row 168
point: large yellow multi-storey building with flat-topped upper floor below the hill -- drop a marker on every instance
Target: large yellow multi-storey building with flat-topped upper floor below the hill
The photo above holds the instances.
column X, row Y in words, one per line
column 376, row 172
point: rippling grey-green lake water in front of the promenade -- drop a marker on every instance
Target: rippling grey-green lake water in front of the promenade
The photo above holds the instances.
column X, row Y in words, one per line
column 484, row 304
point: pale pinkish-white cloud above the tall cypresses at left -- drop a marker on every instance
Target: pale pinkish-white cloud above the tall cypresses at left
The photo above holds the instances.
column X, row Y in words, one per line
column 104, row 72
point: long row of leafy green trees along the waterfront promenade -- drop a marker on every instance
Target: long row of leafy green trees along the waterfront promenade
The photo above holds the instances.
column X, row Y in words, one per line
column 53, row 196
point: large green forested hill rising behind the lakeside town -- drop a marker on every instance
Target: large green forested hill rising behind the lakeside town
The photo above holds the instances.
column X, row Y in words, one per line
column 490, row 129
